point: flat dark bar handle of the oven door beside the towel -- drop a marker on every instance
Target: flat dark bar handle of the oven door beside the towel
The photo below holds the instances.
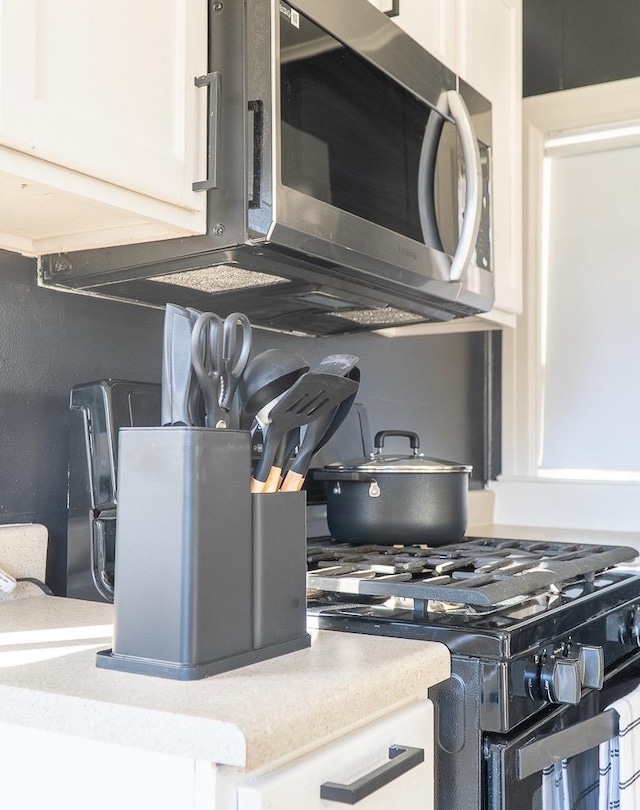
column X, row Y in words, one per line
column 569, row 742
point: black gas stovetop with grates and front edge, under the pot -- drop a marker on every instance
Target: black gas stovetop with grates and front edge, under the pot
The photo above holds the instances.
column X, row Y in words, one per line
column 482, row 596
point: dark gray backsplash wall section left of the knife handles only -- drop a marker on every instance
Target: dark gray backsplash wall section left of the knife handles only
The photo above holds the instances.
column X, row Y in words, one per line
column 49, row 342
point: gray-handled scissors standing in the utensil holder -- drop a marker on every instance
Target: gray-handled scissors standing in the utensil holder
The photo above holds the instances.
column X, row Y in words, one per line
column 219, row 354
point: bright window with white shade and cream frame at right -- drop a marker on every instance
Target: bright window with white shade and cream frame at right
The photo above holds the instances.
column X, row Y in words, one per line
column 571, row 379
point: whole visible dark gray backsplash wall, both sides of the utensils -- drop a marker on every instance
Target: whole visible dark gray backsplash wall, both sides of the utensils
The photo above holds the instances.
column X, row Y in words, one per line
column 51, row 341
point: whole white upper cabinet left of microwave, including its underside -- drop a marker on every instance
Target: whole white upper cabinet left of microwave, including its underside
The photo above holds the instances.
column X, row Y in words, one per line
column 102, row 128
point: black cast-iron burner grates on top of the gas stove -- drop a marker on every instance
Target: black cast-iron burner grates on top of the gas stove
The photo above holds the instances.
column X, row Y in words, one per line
column 478, row 572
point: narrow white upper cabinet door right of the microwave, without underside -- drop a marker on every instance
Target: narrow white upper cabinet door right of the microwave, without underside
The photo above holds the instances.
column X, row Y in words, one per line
column 490, row 59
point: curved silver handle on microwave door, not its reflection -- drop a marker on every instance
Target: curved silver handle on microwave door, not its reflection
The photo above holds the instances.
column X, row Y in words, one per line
column 473, row 194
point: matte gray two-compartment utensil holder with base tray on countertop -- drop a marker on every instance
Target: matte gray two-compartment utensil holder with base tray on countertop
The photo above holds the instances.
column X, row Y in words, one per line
column 185, row 574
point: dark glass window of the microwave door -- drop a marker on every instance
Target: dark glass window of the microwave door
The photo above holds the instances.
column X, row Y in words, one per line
column 352, row 137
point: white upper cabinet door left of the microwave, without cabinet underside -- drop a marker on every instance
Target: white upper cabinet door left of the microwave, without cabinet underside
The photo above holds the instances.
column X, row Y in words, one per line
column 107, row 88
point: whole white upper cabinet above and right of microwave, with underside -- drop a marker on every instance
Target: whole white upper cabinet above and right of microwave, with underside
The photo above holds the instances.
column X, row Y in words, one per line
column 481, row 40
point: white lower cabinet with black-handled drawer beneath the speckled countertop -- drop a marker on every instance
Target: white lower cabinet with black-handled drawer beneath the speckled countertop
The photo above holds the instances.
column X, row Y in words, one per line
column 49, row 768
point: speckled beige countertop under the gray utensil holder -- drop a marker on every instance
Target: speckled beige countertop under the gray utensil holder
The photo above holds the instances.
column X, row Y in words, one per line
column 246, row 718
